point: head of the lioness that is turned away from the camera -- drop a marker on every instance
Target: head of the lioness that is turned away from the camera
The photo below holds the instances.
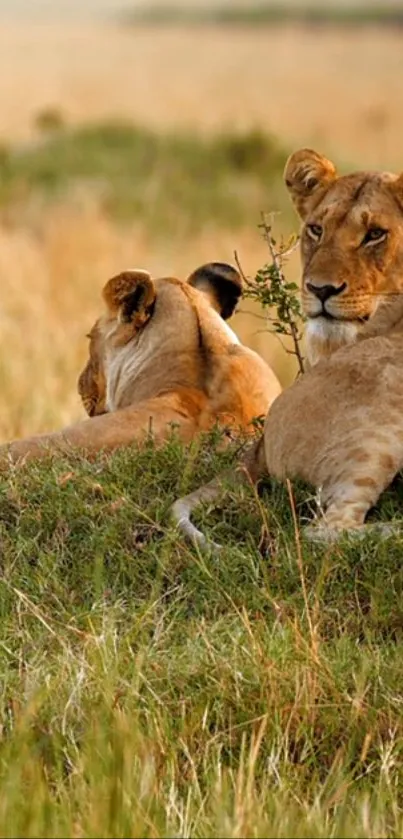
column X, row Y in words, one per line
column 153, row 334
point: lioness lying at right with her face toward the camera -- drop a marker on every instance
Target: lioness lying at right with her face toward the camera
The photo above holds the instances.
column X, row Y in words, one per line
column 339, row 427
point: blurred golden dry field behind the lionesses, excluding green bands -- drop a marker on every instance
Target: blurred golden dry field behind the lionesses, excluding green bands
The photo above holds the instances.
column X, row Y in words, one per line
column 337, row 90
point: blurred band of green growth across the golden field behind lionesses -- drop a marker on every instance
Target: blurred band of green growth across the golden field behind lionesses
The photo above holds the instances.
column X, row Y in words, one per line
column 165, row 180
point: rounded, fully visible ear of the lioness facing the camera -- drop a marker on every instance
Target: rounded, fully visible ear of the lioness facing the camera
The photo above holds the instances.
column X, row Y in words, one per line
column 307, row 175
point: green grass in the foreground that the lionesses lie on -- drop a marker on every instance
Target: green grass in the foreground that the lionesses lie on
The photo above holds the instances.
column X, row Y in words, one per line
column 151, row 691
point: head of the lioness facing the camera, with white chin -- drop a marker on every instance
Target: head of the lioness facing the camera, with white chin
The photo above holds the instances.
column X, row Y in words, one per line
column 351, row 250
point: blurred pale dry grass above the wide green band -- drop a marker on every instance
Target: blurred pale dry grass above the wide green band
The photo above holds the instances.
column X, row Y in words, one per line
column 340, row 91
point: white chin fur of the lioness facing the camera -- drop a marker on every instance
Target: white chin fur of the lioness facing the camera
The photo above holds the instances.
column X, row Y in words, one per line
column 324, row 336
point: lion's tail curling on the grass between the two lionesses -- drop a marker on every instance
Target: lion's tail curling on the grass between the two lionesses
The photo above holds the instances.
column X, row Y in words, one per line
column 251, row 468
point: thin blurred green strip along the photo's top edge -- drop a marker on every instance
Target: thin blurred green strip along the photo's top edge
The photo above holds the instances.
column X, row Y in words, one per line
column 269, row 14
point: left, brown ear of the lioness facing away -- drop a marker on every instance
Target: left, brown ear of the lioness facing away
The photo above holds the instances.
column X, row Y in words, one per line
column 130, row 297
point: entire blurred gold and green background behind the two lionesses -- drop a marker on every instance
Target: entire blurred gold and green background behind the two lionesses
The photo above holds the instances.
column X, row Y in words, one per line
column 154, row 135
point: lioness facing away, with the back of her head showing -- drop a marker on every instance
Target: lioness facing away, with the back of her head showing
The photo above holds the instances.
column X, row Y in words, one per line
column 162, row 355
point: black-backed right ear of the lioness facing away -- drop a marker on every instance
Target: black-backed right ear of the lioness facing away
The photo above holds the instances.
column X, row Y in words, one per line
column 221, row 283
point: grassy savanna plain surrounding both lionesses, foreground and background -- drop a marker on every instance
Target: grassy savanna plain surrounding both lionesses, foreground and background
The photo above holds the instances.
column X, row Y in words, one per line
column 146, row 689
